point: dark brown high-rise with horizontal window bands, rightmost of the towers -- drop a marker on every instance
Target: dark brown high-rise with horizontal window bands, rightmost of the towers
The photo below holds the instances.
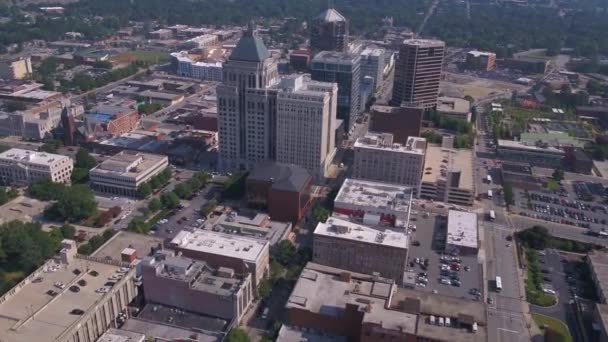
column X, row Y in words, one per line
column 417, row 73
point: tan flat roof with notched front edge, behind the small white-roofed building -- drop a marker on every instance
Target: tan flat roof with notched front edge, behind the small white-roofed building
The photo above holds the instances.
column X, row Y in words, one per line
column 440, row 160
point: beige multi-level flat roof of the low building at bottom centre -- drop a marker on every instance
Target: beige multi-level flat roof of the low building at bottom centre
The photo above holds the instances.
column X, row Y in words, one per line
column 322, row 292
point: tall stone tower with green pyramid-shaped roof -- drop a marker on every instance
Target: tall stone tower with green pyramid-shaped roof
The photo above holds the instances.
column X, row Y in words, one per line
column 245, row 130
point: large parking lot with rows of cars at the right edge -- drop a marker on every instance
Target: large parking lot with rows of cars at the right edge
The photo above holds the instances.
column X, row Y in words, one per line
column 559, row 207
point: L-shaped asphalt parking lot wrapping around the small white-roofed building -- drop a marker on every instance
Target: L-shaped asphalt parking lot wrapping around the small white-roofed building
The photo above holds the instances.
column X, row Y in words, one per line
column 460, row 276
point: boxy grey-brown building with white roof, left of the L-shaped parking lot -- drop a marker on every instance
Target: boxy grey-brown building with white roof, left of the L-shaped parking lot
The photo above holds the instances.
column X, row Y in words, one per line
column 359, row 248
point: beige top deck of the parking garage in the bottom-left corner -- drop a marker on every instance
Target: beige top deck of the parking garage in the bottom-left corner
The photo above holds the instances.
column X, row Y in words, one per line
column 52, row 313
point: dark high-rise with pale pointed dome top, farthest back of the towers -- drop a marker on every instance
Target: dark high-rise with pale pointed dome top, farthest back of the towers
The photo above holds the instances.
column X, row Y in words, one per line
column 329, row 32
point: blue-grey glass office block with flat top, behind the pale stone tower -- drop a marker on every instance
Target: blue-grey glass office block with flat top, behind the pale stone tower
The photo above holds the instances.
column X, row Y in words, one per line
column 344, row 69
